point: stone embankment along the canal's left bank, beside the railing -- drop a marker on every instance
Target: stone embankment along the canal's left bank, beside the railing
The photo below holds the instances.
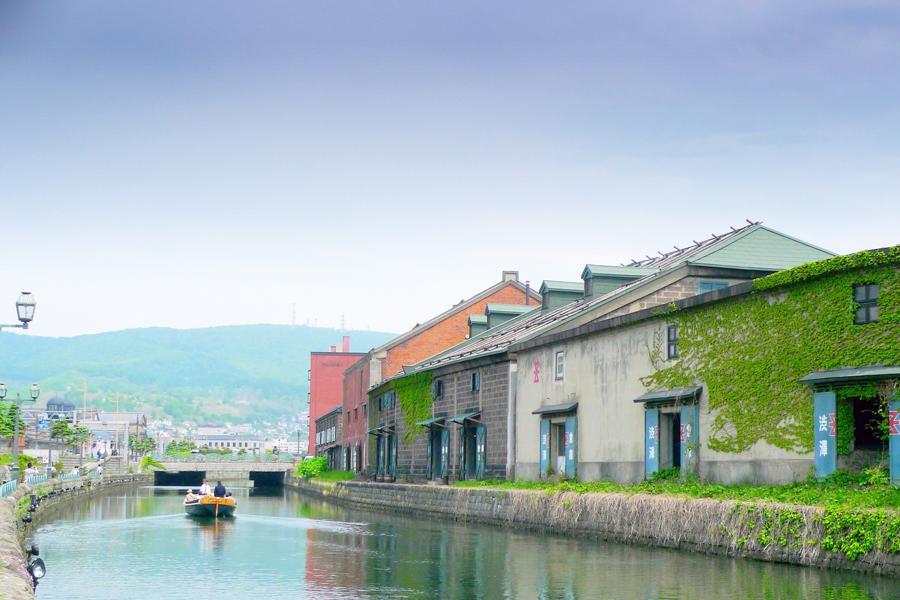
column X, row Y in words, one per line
column 15, row 582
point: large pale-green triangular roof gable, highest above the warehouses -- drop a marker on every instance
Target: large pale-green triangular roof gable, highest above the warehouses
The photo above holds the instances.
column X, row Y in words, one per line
column 760, row 248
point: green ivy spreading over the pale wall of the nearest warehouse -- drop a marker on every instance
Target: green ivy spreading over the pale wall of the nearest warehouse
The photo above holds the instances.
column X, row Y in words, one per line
column 751, row 350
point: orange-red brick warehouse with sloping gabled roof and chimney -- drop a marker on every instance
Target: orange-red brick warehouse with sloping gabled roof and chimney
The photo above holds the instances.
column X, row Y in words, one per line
column 425, row 339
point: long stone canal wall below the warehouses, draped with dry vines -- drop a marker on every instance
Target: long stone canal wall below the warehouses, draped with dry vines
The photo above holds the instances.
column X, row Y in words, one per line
column 771, row 532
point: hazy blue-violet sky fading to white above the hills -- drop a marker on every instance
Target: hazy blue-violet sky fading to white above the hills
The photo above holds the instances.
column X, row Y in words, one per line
column 208, row 163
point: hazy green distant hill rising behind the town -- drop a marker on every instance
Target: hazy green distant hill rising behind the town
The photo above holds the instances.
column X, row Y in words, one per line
column 243, row 372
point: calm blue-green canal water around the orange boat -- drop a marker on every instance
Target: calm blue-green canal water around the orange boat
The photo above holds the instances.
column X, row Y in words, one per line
column 138, row 544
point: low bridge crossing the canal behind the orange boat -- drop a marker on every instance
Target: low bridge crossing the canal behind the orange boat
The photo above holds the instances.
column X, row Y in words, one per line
column 231, row 470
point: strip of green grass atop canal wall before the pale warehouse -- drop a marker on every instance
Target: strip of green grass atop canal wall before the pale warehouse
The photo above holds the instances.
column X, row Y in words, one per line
column 842, row 489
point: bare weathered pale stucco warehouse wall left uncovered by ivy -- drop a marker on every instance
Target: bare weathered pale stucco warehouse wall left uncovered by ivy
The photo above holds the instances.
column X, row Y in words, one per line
column 603, row 374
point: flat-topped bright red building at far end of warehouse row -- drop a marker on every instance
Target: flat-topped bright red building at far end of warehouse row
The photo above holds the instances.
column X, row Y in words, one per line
column 326, row 375
